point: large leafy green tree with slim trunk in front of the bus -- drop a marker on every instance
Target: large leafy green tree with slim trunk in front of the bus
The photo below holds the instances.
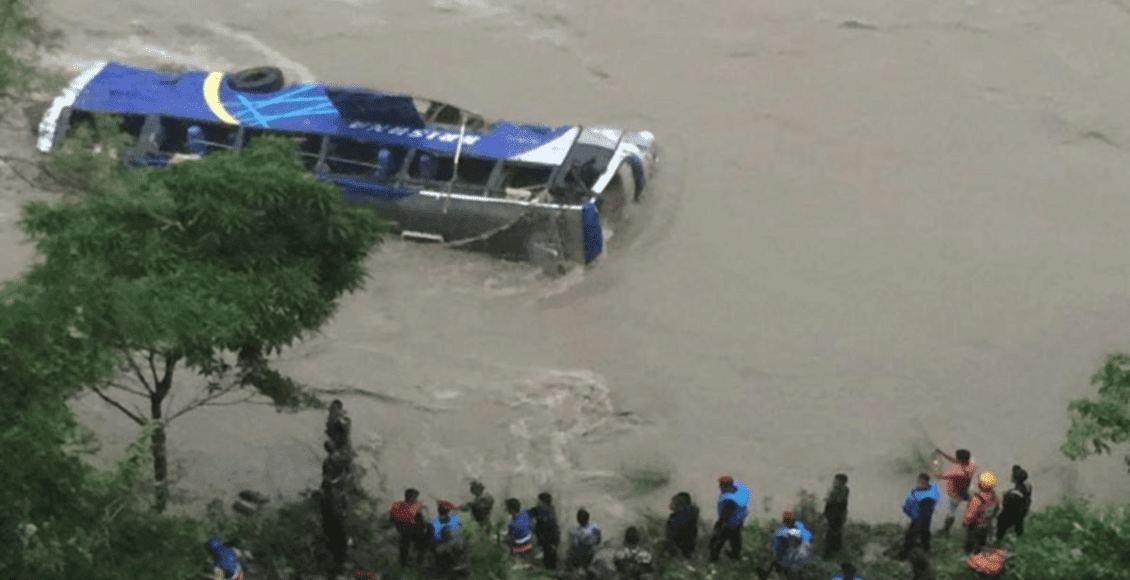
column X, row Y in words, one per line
column 205, row 265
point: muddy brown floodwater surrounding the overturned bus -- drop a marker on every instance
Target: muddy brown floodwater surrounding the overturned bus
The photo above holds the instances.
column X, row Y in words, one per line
column 879, row 228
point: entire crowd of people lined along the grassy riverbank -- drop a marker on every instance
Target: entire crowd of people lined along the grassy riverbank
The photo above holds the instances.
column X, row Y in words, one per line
column 441, row 539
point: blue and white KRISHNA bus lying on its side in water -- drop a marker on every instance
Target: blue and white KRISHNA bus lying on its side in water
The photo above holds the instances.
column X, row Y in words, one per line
column 441, row 174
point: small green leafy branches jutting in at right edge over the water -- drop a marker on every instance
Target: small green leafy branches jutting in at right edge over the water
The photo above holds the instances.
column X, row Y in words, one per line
column 1097, row 425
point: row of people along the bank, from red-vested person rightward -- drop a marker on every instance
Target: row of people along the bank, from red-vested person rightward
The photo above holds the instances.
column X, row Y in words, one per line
column 792, row 543
